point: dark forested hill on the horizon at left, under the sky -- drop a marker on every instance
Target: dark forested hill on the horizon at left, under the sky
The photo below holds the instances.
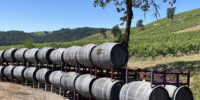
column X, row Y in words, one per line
column 62, row 35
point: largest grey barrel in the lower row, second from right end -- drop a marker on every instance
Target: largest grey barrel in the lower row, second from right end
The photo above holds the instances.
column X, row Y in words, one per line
column 141, row 90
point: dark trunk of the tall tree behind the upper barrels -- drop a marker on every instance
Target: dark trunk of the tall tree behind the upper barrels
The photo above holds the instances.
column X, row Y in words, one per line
column 129, row 16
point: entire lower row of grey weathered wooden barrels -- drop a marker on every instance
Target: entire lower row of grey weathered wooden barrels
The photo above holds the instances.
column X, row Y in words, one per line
column 101, row 88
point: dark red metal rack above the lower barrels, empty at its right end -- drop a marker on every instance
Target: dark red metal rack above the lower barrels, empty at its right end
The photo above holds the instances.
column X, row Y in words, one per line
column 156, row 77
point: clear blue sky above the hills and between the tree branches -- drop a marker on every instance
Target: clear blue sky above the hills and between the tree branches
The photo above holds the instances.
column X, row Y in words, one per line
column 40, row 15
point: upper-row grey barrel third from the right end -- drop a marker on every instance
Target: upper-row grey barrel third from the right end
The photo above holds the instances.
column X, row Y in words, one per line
column 69, row 55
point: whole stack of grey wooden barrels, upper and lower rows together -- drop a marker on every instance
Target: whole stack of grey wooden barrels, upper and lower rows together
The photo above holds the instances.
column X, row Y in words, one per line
column 33, row 65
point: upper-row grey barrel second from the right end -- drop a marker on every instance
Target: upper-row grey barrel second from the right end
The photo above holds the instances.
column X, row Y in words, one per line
column 83, row 55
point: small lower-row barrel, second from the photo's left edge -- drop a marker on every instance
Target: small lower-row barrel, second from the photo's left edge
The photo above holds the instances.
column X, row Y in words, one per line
column 8, row 71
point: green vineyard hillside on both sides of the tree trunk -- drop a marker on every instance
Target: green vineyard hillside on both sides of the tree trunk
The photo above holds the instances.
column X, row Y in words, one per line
column 159, row 38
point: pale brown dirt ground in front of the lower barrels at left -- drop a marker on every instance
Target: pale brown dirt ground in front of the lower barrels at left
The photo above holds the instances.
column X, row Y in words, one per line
column 12, row 91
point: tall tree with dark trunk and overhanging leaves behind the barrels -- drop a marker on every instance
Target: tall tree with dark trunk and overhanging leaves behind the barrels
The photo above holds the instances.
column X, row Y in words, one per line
column 126, row 7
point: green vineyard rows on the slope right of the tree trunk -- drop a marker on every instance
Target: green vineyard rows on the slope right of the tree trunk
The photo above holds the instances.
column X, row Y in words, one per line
column 160, row 38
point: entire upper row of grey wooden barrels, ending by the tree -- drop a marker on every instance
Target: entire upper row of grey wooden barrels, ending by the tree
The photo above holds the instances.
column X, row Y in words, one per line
column 105, row 56
